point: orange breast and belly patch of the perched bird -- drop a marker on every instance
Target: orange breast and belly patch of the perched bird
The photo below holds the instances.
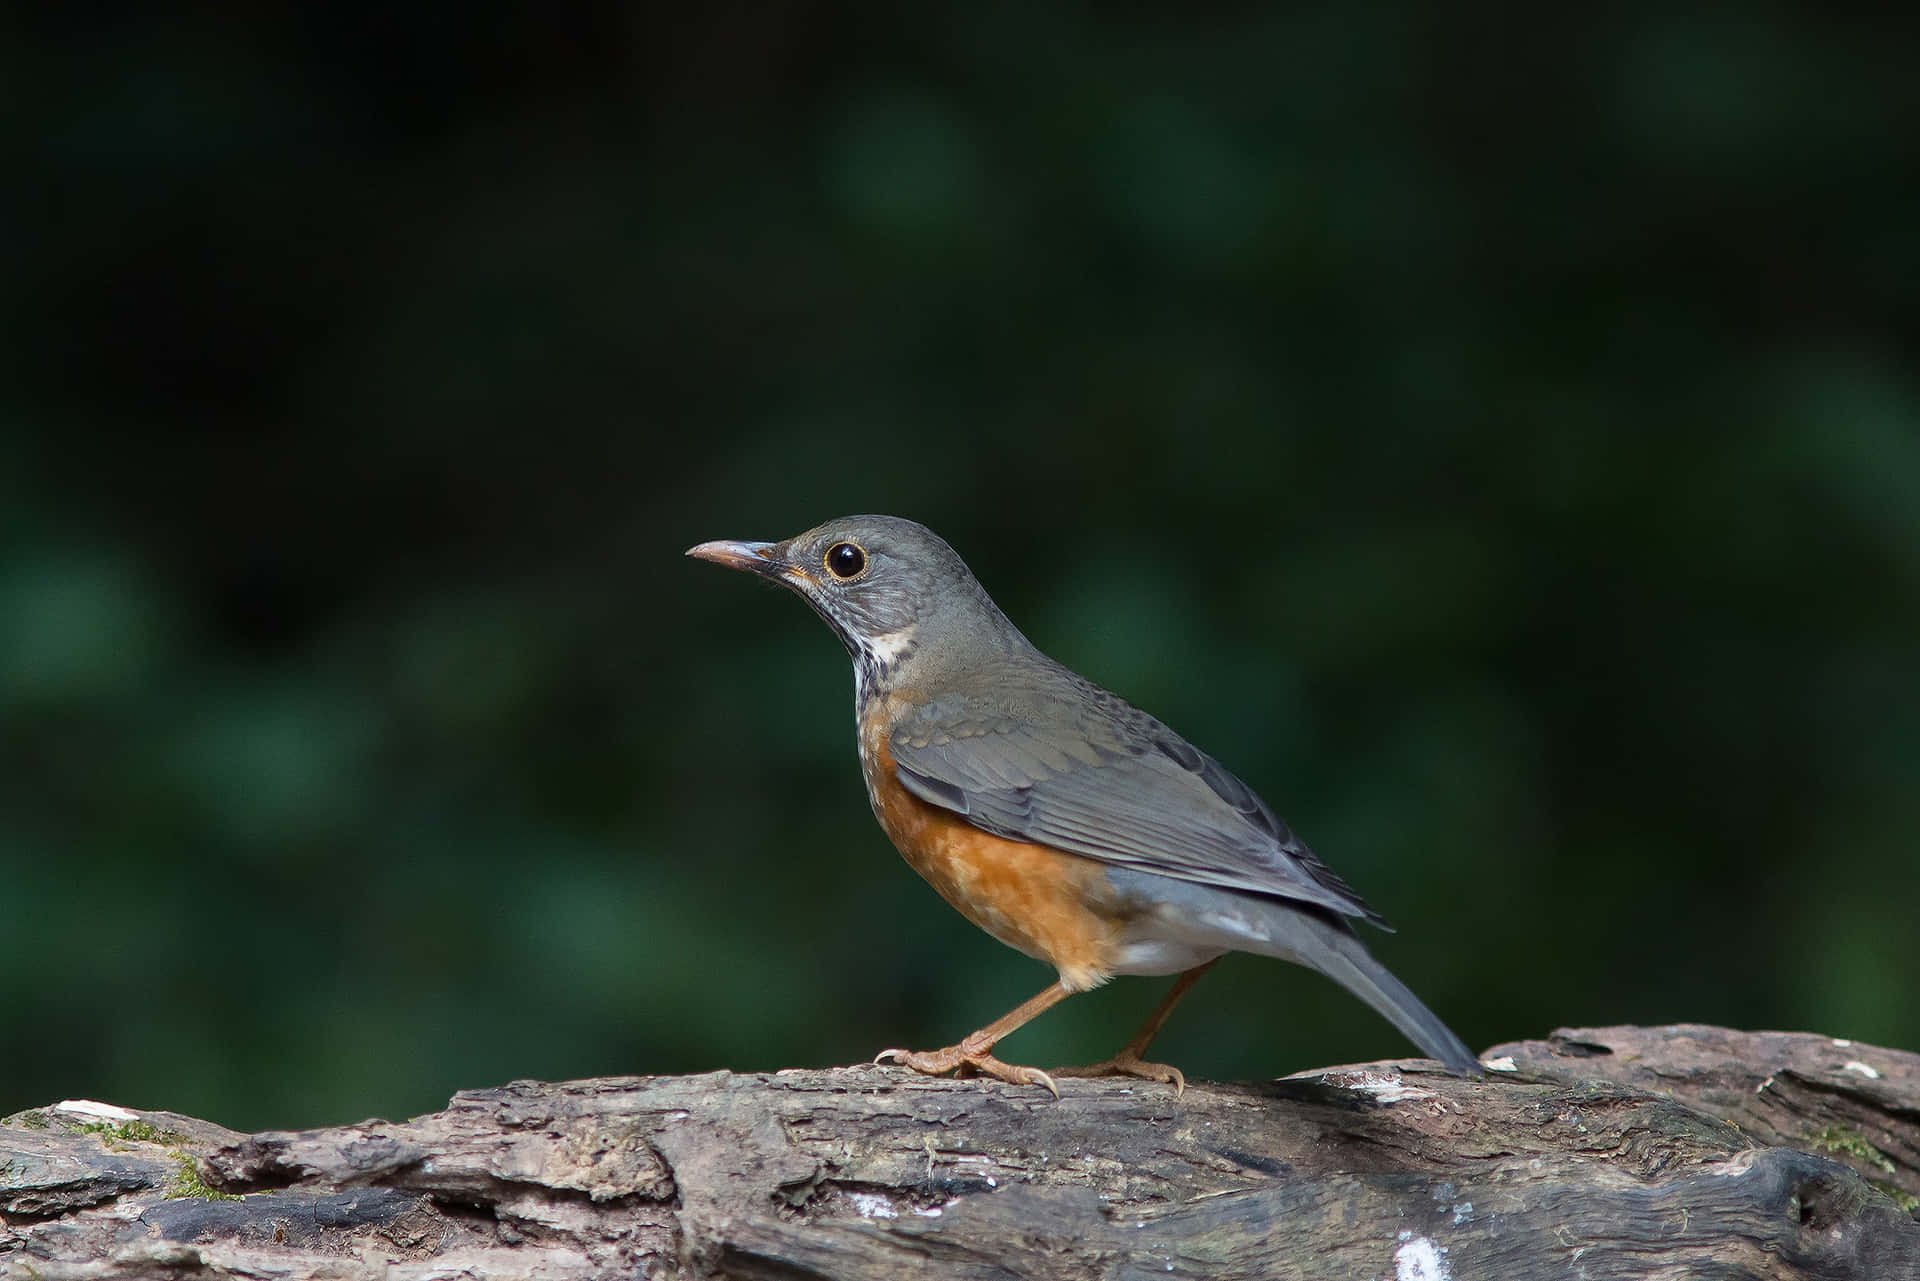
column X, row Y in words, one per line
column 1042, row 902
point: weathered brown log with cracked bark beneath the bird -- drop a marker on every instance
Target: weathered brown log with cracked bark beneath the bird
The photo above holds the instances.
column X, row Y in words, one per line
column 1600, row 1153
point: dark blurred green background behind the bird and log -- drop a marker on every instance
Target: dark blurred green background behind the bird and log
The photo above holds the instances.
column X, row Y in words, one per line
column 1499, row 443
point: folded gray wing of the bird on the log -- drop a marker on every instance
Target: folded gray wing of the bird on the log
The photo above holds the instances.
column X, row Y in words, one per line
column 1097, row 777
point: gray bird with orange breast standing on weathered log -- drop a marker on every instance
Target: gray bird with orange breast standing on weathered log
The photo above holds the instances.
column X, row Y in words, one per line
column 1055, row 815
